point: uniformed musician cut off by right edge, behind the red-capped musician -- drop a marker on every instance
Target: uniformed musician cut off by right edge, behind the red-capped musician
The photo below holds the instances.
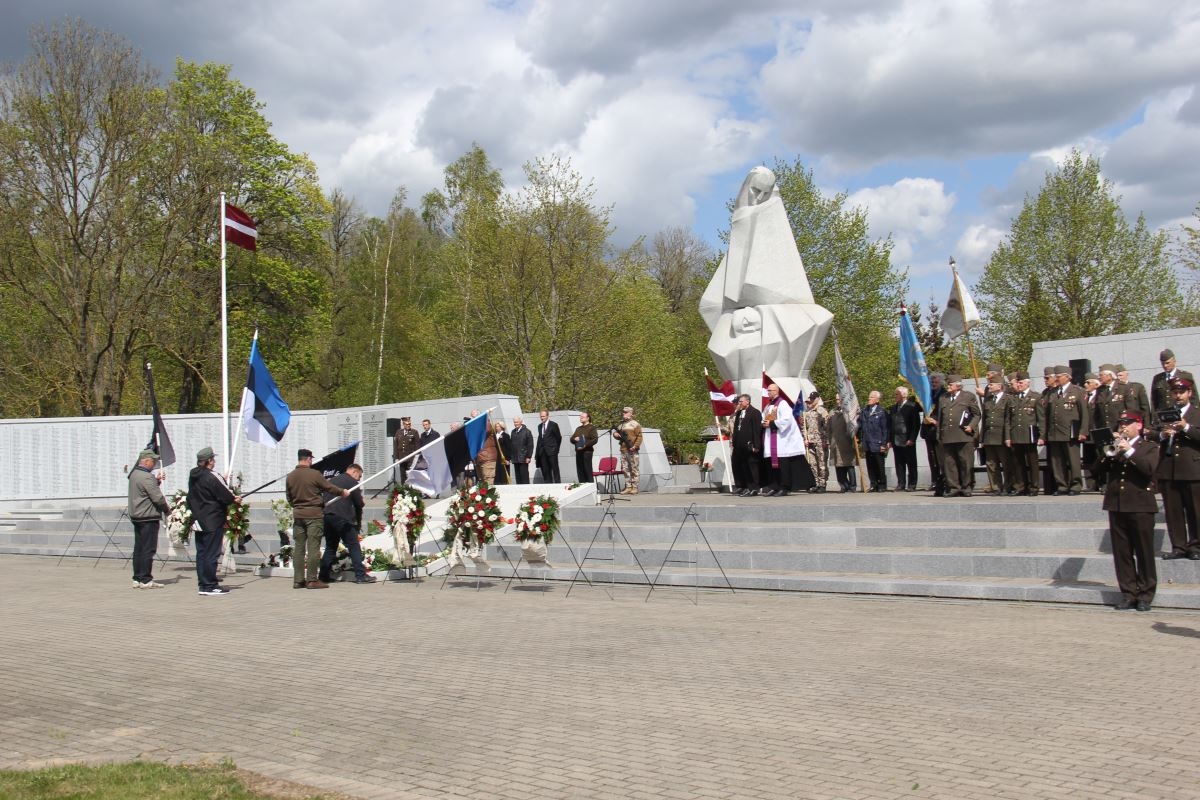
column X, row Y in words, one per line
column 1179, row 473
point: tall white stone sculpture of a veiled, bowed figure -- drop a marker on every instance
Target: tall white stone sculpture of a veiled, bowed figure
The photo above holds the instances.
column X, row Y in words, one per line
column 759, row 305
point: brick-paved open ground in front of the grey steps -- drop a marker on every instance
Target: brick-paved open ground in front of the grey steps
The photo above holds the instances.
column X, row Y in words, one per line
column 410, row 691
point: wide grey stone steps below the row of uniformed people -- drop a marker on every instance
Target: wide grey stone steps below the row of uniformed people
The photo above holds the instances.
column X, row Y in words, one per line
column 1051, row 550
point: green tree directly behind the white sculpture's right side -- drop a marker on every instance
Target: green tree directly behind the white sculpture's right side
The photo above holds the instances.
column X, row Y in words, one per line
column 851, row 275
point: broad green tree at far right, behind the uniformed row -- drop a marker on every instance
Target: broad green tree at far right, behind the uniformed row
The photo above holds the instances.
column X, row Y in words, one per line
column 1073, row 267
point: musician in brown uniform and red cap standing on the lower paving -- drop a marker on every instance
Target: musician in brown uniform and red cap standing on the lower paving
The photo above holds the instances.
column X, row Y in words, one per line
column 1130, row 501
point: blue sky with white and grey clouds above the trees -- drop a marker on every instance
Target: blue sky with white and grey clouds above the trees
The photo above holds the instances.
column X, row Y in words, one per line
column 939, row 118
